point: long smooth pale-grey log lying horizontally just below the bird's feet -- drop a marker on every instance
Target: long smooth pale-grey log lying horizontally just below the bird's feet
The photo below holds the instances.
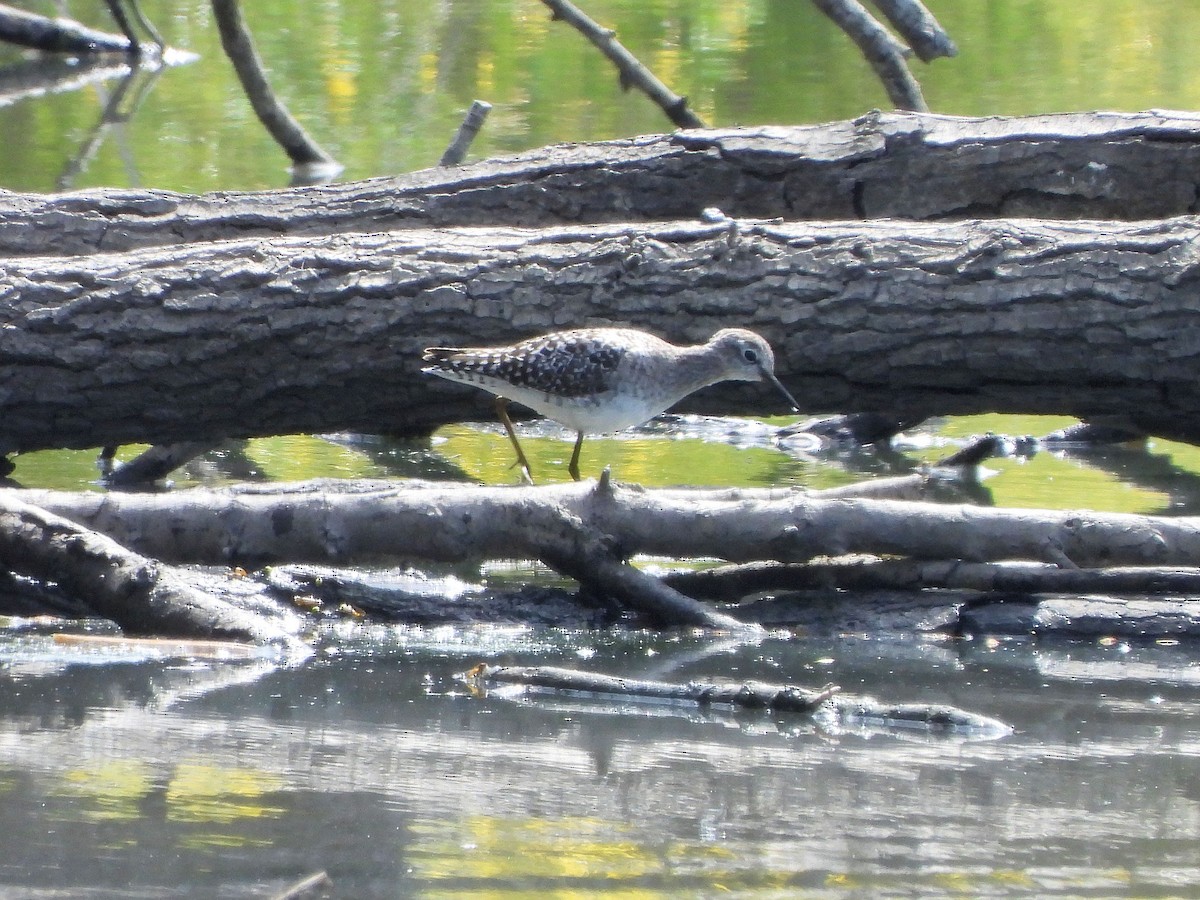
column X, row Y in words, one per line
column 361, row 524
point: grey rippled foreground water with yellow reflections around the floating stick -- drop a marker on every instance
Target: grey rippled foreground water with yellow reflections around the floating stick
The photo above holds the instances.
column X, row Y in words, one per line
column 147, row 777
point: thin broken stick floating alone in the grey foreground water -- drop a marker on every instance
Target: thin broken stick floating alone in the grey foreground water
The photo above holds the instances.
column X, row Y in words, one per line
column 825, row 706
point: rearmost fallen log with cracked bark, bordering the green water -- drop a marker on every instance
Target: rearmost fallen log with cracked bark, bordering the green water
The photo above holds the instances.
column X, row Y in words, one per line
column 1121, row 166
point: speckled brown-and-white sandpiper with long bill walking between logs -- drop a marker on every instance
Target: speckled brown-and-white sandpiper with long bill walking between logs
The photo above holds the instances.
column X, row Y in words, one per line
column 602, row 380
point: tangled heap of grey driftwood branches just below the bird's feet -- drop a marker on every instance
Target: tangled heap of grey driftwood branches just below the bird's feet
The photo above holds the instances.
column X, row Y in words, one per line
column 586, row 531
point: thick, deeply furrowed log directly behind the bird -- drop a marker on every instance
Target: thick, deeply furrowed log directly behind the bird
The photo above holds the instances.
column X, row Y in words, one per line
column 299, row 335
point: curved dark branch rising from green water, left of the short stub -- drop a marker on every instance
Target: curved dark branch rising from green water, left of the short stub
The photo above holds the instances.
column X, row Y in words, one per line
column 279, row 123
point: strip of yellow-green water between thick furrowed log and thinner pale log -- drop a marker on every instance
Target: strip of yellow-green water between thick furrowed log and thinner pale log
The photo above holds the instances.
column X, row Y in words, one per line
column 1127, row 481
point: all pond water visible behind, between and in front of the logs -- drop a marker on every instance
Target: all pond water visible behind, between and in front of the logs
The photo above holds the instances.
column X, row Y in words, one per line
column 140, row 777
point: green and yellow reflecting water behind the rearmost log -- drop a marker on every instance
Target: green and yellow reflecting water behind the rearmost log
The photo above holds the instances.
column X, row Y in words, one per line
column 383, row 86
